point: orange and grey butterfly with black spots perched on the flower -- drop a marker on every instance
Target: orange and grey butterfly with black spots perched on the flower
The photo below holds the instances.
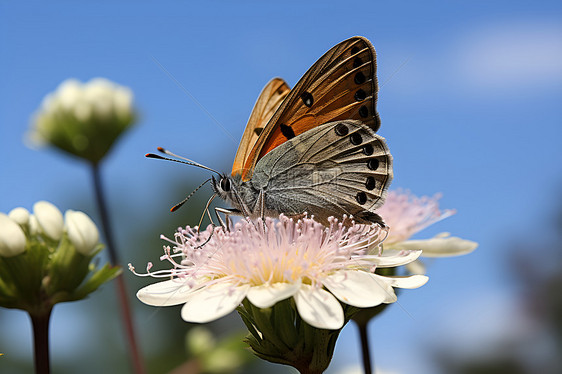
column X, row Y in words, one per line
column 314, row 148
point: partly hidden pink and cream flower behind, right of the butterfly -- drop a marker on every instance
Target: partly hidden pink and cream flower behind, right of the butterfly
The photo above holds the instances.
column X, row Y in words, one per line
column 407, row 214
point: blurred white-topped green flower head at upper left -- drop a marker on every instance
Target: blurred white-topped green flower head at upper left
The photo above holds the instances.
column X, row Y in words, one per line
column 83, row 119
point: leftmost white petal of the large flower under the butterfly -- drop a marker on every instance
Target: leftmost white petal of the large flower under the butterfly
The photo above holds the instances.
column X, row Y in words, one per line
column 170, row 292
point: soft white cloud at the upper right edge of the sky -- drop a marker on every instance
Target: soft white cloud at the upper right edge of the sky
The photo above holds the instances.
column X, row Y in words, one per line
column 516, row 54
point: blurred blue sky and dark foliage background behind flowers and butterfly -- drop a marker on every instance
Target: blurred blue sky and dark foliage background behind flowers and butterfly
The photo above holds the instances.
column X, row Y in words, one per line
column 469, row 98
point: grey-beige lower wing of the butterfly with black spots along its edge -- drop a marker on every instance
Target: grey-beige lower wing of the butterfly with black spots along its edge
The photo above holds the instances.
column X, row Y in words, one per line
column 337, row 168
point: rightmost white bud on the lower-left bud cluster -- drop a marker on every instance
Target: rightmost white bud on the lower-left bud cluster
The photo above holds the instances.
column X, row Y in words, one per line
column 82, row 231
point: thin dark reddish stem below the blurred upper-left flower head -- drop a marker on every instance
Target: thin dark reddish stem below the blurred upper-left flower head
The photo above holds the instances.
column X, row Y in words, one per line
column 134, row 353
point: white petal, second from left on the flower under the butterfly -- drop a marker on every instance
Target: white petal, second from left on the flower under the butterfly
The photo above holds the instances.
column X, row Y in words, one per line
column 213, row 302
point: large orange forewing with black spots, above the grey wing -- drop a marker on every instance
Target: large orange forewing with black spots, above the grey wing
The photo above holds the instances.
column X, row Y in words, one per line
column 342, row 84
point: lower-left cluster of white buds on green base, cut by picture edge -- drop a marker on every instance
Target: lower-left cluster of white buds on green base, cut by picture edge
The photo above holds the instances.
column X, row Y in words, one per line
column 46, row 258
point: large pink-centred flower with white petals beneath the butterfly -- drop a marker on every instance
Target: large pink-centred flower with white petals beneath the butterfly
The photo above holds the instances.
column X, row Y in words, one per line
column 318, row 266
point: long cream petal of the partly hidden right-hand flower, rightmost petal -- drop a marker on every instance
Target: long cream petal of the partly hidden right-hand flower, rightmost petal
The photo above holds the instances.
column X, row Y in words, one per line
column 441, row 246
